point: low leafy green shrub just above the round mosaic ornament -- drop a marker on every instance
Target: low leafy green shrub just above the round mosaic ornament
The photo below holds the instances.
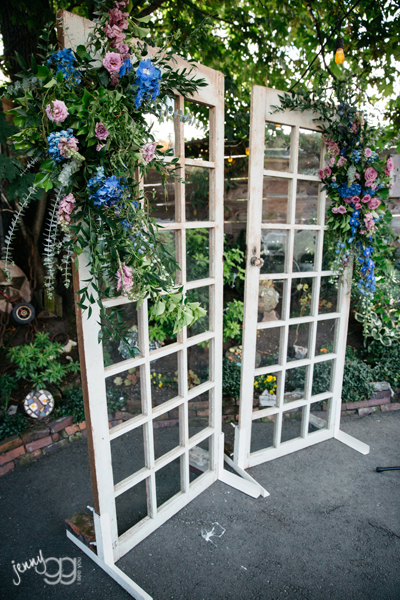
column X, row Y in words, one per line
column 39, row 362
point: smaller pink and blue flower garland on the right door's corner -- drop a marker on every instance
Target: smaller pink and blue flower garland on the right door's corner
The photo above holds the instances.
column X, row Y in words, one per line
column 357, row 183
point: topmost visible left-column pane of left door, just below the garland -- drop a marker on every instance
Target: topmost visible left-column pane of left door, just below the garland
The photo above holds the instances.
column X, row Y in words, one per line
column 115, row 351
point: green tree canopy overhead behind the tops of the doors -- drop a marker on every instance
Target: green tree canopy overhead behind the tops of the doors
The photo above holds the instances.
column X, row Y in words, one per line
column 265, row 42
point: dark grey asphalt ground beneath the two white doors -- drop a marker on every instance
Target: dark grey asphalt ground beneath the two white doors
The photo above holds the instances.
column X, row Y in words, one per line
column 329, row 530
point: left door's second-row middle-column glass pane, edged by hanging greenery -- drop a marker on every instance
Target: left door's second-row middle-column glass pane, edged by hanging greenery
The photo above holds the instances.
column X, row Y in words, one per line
column 160, row 194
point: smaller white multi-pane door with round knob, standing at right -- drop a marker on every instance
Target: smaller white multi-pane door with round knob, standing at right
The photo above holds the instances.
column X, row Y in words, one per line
column 295, row 318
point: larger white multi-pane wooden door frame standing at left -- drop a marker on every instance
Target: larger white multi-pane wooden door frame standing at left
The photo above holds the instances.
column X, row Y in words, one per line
column 114, row 539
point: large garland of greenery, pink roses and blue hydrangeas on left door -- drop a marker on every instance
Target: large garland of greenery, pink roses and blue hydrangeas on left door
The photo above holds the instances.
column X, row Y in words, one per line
column 84, row 115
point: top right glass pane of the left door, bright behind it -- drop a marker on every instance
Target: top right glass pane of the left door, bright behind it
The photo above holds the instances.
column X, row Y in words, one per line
column 196, row 130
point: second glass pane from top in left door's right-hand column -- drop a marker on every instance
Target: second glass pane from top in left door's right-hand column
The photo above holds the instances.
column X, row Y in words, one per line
column 197, row 193
